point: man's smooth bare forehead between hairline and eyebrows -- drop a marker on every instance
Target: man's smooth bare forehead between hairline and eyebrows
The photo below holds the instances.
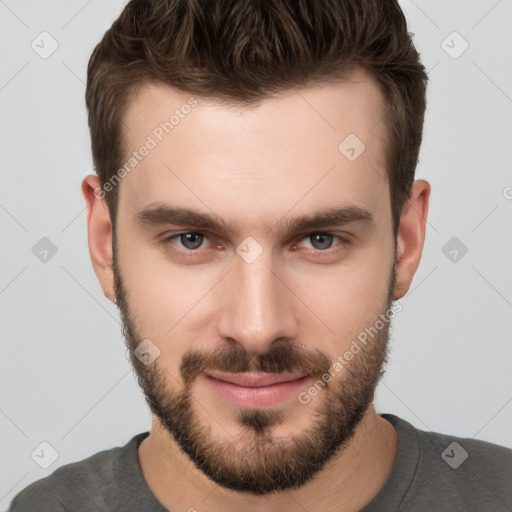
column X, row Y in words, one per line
column 322, row 145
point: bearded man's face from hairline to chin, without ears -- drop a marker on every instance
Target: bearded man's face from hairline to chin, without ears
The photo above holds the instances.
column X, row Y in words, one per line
column 263, row 297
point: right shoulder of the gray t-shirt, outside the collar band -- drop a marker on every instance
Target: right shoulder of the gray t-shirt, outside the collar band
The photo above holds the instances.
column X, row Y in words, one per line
column 460, row 473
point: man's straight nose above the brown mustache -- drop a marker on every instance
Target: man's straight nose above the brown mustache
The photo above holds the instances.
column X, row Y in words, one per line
column 257, row 307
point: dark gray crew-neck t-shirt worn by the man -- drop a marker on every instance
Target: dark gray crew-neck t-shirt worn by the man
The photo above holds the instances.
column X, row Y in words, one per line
column 432, row 472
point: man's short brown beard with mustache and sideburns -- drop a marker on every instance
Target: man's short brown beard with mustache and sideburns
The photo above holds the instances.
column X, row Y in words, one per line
column 256, row 462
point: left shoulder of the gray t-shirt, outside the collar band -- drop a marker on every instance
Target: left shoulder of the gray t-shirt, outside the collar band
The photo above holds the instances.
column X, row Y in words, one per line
column 77, row 485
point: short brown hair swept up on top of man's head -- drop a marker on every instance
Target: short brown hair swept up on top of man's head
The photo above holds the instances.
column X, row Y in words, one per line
column 242, row 51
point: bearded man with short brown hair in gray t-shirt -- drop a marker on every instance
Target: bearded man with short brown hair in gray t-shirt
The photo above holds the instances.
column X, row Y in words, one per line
column 254, row 217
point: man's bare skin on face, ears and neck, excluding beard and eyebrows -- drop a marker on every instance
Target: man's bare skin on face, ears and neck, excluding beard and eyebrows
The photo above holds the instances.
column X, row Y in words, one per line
column 255, row 167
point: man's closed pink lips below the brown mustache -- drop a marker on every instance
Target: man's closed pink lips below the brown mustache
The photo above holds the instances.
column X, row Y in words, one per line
column 255, row 390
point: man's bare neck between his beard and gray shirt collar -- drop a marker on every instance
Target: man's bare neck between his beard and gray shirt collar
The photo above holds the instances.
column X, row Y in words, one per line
column 347, row 483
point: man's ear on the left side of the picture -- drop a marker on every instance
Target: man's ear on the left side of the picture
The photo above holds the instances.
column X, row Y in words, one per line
column 99, row 232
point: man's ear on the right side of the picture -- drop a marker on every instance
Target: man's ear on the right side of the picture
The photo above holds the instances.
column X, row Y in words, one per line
column 411, row 235
